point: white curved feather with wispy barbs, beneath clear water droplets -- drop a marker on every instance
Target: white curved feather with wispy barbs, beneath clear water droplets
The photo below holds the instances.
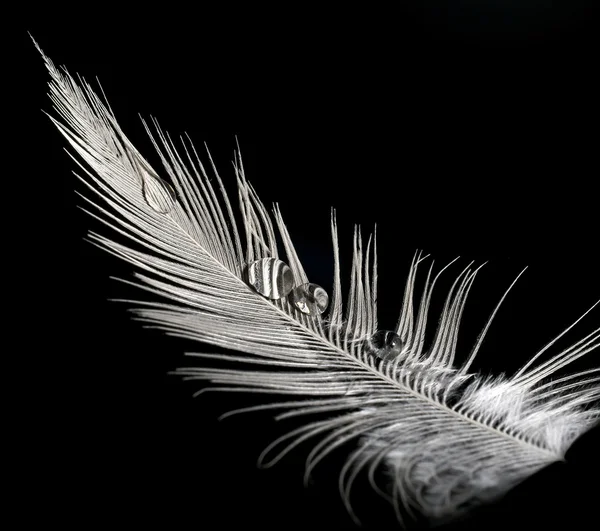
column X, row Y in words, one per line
column 447, row 438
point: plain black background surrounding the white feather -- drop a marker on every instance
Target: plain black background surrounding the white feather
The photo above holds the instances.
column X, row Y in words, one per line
column 468, row 131
